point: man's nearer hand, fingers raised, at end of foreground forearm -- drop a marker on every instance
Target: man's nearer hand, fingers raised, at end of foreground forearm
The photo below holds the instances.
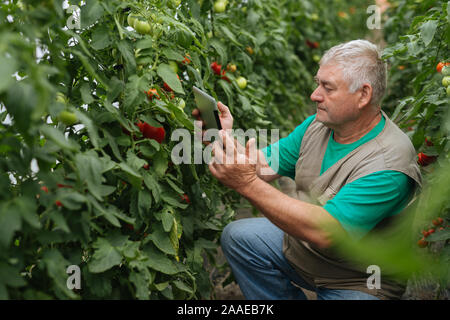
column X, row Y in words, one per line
column 232, row 164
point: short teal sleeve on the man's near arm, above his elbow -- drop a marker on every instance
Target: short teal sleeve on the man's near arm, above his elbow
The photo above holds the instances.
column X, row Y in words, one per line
column 360, row 205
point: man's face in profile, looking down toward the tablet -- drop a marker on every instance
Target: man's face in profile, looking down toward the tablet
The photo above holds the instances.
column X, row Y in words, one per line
column 335, row 104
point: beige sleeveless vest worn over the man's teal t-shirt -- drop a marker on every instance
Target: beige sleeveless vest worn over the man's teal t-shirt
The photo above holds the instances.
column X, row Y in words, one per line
column 389, row 150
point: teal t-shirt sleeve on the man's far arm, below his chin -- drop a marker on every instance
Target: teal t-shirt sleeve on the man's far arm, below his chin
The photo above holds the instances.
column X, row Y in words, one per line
column 282, row 155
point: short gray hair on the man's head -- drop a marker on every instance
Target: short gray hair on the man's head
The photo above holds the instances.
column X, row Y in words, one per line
column 360, row 62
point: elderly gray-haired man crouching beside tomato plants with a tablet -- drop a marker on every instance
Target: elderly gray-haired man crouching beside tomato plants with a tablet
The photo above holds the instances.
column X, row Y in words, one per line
column 354, row 170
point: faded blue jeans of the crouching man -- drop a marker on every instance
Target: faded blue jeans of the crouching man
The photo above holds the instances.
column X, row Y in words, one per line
column 254, row 250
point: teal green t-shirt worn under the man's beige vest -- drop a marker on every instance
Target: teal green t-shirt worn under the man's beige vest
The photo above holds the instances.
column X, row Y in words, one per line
column 360, row 205
